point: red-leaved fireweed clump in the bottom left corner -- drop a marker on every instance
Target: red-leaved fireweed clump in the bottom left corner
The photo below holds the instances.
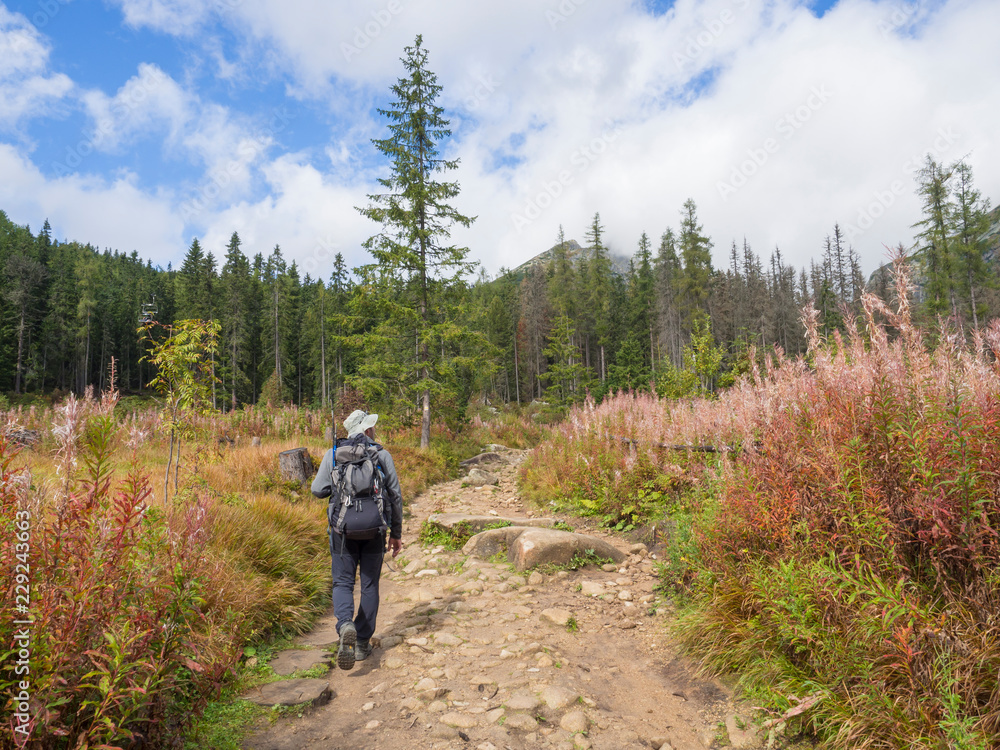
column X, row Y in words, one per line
column 116, row 656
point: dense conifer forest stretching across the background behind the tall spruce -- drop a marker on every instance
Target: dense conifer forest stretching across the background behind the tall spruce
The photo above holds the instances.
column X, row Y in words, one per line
column 557, row 329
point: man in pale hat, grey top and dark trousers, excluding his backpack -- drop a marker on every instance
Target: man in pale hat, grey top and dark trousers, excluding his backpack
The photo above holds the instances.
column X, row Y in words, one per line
column 350, row 554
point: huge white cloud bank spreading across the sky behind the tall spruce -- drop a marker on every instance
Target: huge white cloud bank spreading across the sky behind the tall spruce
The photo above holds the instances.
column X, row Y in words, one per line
column 604, row 108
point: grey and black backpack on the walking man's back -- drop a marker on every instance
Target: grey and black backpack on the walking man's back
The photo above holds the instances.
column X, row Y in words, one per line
column 357, row 509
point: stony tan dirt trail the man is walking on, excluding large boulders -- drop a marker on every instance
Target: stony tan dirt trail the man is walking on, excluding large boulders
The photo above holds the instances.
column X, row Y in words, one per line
column 471, row 653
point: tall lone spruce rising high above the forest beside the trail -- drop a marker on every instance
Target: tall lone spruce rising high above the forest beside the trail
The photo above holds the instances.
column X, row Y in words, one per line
column 416, row 221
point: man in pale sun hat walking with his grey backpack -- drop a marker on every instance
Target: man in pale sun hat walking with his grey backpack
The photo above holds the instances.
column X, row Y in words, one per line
column 347, row 552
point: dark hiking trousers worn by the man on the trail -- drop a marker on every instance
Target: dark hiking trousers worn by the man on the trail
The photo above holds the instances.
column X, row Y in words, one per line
column 348, row 555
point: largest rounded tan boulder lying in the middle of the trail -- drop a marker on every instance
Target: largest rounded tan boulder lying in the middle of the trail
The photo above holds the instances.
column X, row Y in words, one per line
column 530, row 547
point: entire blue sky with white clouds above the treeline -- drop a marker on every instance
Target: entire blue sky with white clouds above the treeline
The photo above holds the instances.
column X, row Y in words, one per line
column 142, row 124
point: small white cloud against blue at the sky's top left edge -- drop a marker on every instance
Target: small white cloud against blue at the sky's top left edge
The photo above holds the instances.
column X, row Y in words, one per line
column 27, row 88
